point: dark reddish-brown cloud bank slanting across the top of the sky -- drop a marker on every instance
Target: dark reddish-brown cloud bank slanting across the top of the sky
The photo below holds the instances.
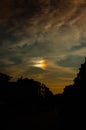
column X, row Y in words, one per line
column 27, row 18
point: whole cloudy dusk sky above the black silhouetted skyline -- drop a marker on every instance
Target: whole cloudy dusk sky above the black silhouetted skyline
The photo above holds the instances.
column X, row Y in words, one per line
column 43, row 39
